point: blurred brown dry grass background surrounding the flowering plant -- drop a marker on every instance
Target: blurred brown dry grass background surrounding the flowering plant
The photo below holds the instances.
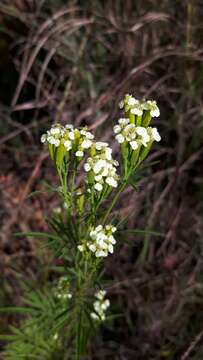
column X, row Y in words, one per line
column 72, row 62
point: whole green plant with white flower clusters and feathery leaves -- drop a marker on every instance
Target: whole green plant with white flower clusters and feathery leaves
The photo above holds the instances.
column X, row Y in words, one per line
column 83, row 232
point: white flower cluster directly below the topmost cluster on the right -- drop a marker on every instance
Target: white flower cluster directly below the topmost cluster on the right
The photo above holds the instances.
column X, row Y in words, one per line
column 135, row 135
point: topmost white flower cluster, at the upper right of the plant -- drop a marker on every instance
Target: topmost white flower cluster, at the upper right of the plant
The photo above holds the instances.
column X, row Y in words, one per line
column 137, row 107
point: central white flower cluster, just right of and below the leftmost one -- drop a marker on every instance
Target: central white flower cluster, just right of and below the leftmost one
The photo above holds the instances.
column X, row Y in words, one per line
column 102, row 167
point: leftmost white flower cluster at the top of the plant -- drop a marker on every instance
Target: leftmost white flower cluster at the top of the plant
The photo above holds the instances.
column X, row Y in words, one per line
column 69, row 137
